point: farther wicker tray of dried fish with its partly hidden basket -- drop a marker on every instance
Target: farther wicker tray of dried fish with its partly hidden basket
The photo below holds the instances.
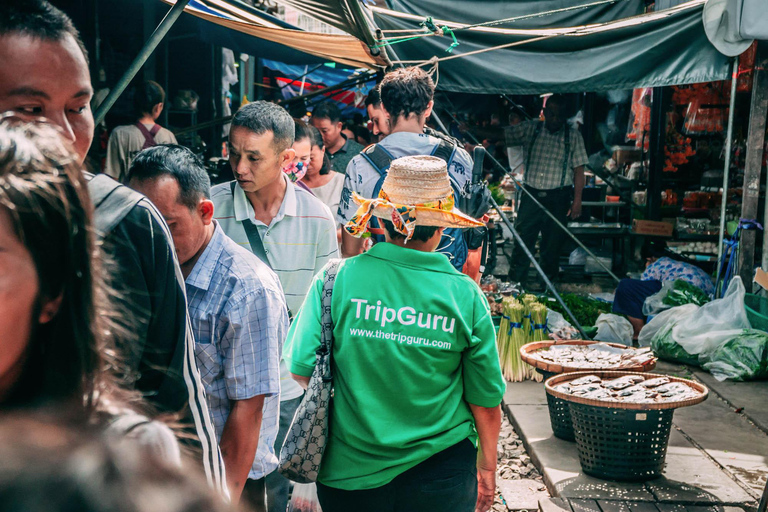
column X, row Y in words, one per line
column 554, row 357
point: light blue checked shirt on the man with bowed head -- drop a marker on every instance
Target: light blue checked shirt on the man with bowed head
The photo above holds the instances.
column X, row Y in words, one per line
column 240, row 321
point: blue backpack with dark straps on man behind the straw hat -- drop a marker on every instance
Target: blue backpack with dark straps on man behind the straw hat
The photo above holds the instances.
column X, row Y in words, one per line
column 453, row 244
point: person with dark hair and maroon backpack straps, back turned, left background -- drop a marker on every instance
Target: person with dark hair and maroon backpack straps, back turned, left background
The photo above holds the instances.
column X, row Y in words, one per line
column 127, row 141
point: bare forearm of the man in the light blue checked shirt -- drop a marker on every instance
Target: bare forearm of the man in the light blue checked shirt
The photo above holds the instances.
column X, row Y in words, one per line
column 239, row 442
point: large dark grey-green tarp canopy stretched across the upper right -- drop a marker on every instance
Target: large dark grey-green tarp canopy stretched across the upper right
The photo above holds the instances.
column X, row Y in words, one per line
column 656, row 49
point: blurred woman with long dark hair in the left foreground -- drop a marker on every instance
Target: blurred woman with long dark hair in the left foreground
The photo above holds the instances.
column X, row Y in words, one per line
column 57, row 324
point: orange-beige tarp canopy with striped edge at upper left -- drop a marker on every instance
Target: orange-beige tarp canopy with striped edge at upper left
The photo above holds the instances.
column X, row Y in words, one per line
column 344, row 49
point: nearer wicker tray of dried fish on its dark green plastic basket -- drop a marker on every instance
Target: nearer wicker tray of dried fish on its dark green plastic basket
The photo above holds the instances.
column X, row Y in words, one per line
column 621, row 420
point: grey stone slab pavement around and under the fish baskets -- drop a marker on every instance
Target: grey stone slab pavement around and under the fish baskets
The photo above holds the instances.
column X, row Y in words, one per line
column 716, row 456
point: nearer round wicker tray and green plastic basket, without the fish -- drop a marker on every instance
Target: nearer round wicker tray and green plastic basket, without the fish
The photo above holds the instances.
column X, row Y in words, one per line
column 621, row 441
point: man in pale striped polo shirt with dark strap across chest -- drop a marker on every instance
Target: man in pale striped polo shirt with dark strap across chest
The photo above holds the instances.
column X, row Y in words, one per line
column 285, row 226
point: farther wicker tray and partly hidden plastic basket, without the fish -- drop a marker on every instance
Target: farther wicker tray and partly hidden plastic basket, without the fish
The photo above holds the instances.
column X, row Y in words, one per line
column 559, row 411
